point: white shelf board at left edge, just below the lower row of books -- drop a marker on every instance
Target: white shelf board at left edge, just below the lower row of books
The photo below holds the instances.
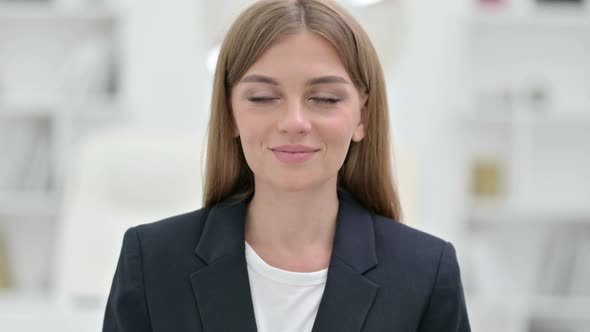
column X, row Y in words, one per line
column 29, row 204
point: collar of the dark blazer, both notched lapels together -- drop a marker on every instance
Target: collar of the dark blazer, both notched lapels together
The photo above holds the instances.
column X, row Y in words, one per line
column 222, row 289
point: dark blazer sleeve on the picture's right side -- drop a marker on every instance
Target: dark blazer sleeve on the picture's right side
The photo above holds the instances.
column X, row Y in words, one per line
column 446, row 310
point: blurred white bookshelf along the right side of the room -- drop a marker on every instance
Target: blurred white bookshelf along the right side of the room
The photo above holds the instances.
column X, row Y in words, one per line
column 525, row 68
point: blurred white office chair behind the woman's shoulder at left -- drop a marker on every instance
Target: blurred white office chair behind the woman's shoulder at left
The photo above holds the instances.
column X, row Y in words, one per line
column 122, row 177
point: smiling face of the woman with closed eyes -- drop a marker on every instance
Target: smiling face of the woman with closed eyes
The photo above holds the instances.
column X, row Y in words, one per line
column 296, row 111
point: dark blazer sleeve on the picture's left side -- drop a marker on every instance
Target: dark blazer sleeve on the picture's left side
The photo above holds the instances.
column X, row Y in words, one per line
column 126, row 309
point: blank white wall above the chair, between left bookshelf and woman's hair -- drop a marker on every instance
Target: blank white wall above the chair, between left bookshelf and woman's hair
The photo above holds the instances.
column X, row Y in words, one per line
column 165, row 77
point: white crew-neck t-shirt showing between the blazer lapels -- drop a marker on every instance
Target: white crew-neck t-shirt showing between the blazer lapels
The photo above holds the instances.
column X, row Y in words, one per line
column 284, row 301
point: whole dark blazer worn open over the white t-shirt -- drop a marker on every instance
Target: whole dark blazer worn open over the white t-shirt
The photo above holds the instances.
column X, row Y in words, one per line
column 189, row 273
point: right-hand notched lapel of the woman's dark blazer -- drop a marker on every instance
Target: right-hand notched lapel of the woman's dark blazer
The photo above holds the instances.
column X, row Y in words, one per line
column 348, row 295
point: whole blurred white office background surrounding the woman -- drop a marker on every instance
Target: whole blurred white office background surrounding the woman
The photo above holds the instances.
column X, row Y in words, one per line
column 104, row 106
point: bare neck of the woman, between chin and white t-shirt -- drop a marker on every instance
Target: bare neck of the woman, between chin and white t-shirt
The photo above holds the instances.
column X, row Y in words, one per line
column 292, row 221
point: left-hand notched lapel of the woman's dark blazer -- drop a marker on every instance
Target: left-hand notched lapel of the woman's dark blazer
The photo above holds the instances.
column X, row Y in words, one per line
column 222, row 288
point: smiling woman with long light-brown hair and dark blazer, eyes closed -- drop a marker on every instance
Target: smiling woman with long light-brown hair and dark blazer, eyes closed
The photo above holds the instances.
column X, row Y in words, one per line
column 300, row 227
